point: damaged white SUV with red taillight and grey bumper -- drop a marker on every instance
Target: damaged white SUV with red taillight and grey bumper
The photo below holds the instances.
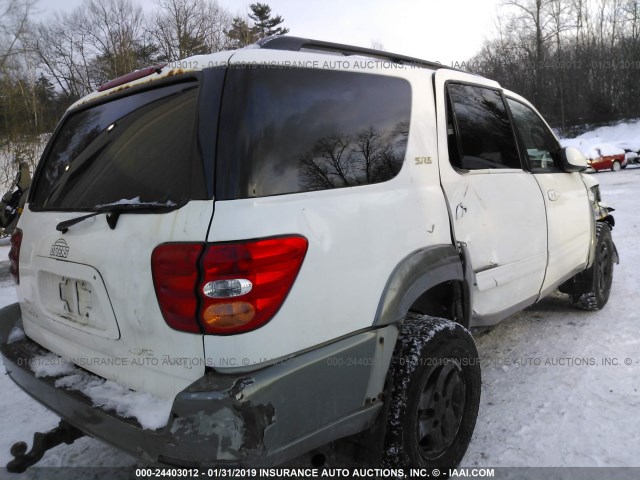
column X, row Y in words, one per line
column 271, row 249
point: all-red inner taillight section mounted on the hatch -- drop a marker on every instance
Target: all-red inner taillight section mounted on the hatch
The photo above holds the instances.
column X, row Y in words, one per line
column 175, row 278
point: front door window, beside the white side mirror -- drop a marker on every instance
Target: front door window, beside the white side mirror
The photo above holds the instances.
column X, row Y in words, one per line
column 542, row 147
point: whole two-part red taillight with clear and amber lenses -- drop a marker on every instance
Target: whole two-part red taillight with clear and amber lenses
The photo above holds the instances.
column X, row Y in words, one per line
column 225, row 288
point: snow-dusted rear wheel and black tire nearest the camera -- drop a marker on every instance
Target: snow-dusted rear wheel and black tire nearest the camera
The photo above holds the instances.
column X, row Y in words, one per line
column 435, row 396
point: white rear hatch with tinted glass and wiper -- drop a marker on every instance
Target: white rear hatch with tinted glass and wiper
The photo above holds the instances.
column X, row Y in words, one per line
column 121, row 175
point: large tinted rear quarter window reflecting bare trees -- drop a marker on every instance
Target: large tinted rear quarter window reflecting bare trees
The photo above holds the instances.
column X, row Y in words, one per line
column 294, row 130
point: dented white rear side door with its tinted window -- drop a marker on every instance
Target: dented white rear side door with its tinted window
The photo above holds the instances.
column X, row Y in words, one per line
column 496, row 206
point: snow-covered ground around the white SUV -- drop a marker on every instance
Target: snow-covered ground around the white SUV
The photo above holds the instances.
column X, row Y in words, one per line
column 553, row 395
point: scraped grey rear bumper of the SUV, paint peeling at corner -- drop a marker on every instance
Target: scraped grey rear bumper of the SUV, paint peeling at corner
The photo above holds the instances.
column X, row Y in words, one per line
column 264, row 417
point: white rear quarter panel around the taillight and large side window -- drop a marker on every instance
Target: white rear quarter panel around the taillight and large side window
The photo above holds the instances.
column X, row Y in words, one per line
column 356, row 235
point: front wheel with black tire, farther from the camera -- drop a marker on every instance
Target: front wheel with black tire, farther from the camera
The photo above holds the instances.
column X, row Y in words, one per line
column 596, row 281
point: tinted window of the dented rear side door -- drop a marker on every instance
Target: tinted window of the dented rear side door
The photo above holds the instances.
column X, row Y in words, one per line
column 484, row 131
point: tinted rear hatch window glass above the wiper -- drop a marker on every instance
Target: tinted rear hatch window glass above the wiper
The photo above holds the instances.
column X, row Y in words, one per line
column 134, row 149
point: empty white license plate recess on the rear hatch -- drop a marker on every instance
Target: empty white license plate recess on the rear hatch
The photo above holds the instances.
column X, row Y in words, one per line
column 74, row 295
